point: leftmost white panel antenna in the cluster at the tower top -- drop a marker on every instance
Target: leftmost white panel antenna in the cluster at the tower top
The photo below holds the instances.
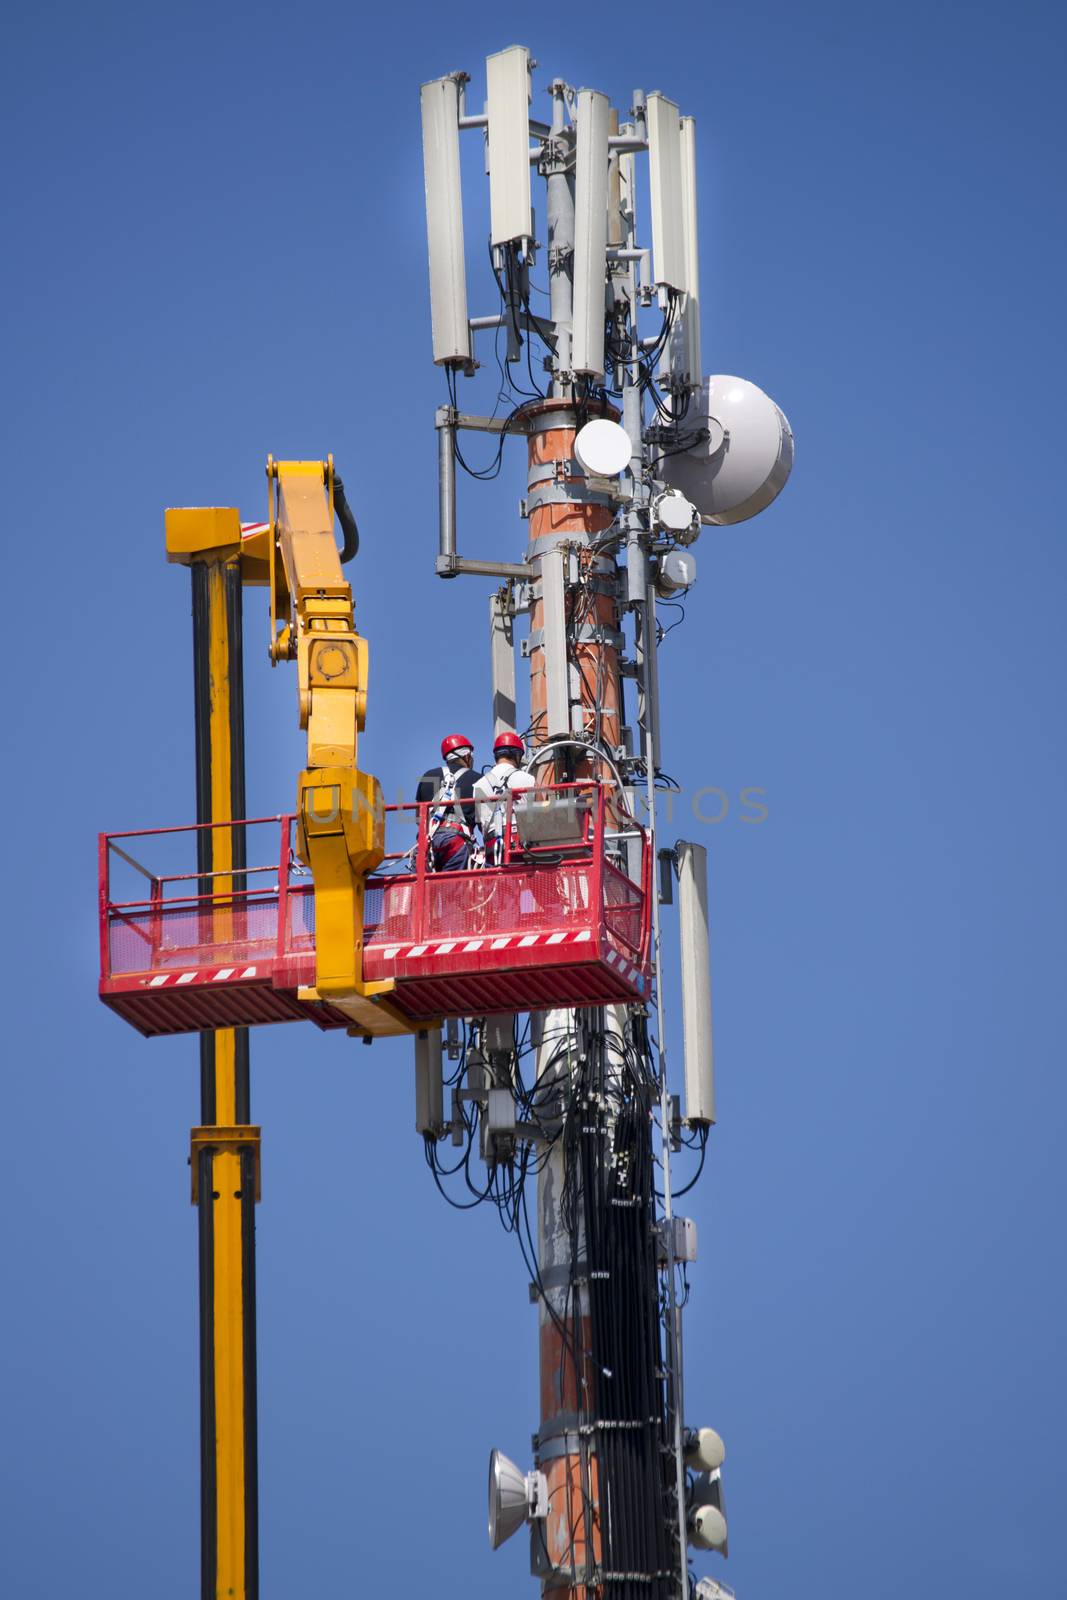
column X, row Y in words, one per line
column 444, row 222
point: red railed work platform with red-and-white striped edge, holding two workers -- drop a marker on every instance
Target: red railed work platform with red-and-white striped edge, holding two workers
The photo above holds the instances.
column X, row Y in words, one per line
column 561, row 922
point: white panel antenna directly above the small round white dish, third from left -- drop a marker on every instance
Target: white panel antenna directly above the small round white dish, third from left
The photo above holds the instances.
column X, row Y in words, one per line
column 591, row 234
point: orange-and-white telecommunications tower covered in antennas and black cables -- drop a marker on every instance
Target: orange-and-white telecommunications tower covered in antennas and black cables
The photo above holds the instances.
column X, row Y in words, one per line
column 629, row 452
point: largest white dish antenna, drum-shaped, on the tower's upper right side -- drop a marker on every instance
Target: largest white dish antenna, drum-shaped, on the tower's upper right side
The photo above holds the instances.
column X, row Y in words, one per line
column 745, row 462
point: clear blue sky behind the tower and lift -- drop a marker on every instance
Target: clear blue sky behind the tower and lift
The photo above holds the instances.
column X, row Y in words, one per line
column 217, row 250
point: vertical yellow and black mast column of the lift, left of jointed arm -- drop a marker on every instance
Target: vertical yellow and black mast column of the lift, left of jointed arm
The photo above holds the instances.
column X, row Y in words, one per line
column 225, row 1151
